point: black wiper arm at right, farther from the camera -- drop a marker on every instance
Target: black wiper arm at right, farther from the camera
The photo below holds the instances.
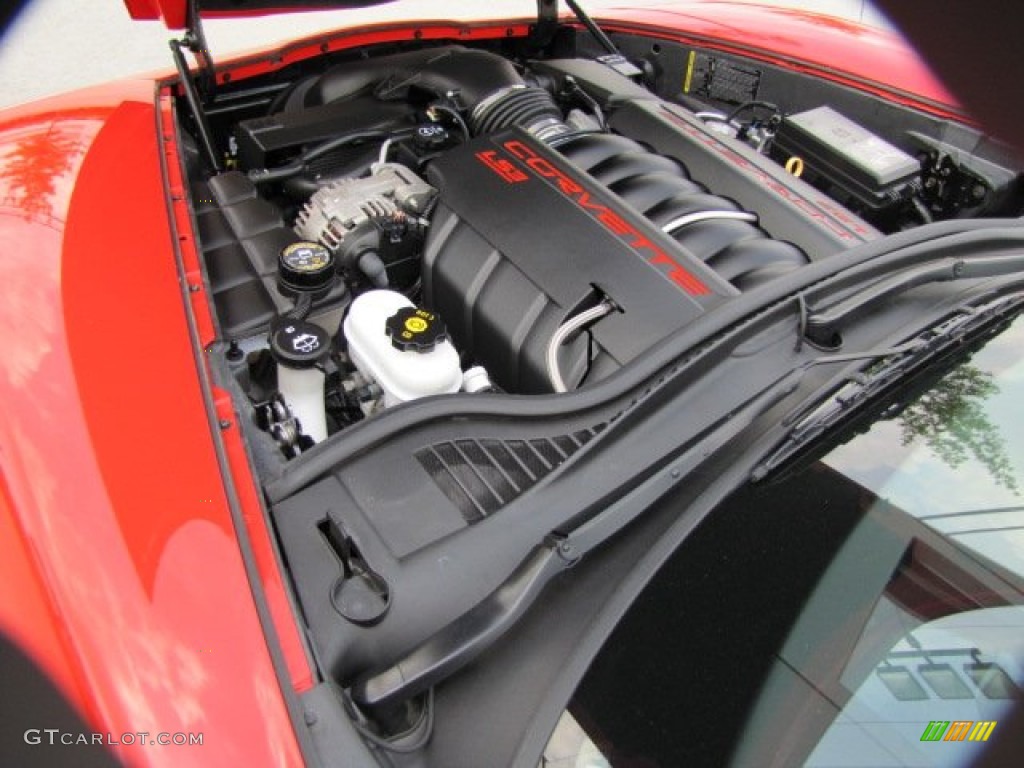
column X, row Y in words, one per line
column 823, row 325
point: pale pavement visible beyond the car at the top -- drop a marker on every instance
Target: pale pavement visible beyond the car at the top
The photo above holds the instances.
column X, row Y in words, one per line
column 60, row 46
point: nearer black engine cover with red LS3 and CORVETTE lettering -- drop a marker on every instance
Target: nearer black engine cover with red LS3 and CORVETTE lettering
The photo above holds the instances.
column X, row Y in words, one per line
column 522, row 240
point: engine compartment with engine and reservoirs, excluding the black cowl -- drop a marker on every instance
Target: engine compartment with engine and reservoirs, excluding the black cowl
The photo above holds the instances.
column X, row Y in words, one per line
column 441, row 219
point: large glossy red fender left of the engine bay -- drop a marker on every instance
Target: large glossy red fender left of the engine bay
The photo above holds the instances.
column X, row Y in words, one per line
column 115, row 508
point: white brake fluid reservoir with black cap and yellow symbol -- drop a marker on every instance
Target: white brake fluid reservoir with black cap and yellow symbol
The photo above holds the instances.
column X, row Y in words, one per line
column 402, row 348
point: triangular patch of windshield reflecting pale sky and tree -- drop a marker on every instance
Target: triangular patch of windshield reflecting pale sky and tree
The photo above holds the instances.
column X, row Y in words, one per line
column 953, row 459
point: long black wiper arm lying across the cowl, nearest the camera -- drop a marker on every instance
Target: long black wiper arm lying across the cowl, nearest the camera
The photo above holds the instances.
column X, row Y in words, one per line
column 465, row 638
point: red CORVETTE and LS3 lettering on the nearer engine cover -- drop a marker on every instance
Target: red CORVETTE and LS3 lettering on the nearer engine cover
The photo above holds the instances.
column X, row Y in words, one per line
column 612, row 222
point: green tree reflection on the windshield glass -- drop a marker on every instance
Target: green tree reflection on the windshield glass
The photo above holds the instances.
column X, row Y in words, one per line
column 952, row 420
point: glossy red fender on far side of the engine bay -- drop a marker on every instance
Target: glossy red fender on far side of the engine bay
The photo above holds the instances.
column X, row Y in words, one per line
column 865, row 58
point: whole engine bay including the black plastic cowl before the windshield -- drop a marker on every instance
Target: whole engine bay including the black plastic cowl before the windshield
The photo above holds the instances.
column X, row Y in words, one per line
column 457, row 281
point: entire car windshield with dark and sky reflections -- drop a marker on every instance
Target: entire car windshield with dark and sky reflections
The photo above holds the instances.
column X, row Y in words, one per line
column 863, row 610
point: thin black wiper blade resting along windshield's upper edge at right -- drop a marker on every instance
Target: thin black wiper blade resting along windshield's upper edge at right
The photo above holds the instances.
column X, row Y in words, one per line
column 886, row 368
